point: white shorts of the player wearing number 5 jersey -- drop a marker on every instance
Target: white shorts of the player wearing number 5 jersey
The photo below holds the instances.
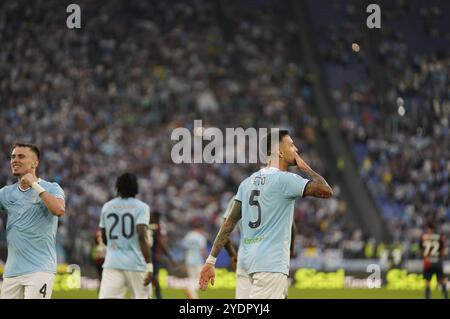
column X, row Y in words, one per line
column 261, row 285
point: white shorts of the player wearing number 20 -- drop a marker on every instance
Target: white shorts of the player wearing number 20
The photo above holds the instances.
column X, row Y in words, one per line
column 115, row 282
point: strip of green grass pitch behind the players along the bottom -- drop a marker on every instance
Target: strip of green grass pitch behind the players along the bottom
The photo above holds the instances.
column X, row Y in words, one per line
column 293, row 294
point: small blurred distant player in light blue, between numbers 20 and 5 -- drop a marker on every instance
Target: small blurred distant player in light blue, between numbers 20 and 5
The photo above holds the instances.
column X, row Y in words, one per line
column 195, row 244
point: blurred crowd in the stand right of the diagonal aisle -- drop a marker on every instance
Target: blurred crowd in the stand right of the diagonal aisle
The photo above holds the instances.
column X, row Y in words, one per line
column 401, row 143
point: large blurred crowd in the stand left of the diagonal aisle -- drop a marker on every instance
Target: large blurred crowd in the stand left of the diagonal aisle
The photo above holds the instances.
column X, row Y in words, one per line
column 105, row 99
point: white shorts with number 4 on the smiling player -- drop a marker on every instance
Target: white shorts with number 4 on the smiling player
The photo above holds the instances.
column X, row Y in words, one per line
column 38, row 285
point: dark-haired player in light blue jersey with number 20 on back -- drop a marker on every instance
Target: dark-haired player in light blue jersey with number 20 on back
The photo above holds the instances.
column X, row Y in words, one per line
column 124, row 224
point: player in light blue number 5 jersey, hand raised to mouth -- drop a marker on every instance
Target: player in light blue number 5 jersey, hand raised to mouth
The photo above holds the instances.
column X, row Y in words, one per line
column 265, row 203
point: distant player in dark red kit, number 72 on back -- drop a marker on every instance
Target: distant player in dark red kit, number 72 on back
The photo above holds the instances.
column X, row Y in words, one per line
column 433, row 248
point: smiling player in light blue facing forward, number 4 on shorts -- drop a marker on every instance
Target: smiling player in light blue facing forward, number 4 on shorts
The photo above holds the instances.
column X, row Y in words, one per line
column 33, row 206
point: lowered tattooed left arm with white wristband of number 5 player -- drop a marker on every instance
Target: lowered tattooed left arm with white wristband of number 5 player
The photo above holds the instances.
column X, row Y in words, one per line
column 207, row 273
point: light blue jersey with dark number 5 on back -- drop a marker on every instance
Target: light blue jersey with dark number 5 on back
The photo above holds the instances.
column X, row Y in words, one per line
column 268, row 196
